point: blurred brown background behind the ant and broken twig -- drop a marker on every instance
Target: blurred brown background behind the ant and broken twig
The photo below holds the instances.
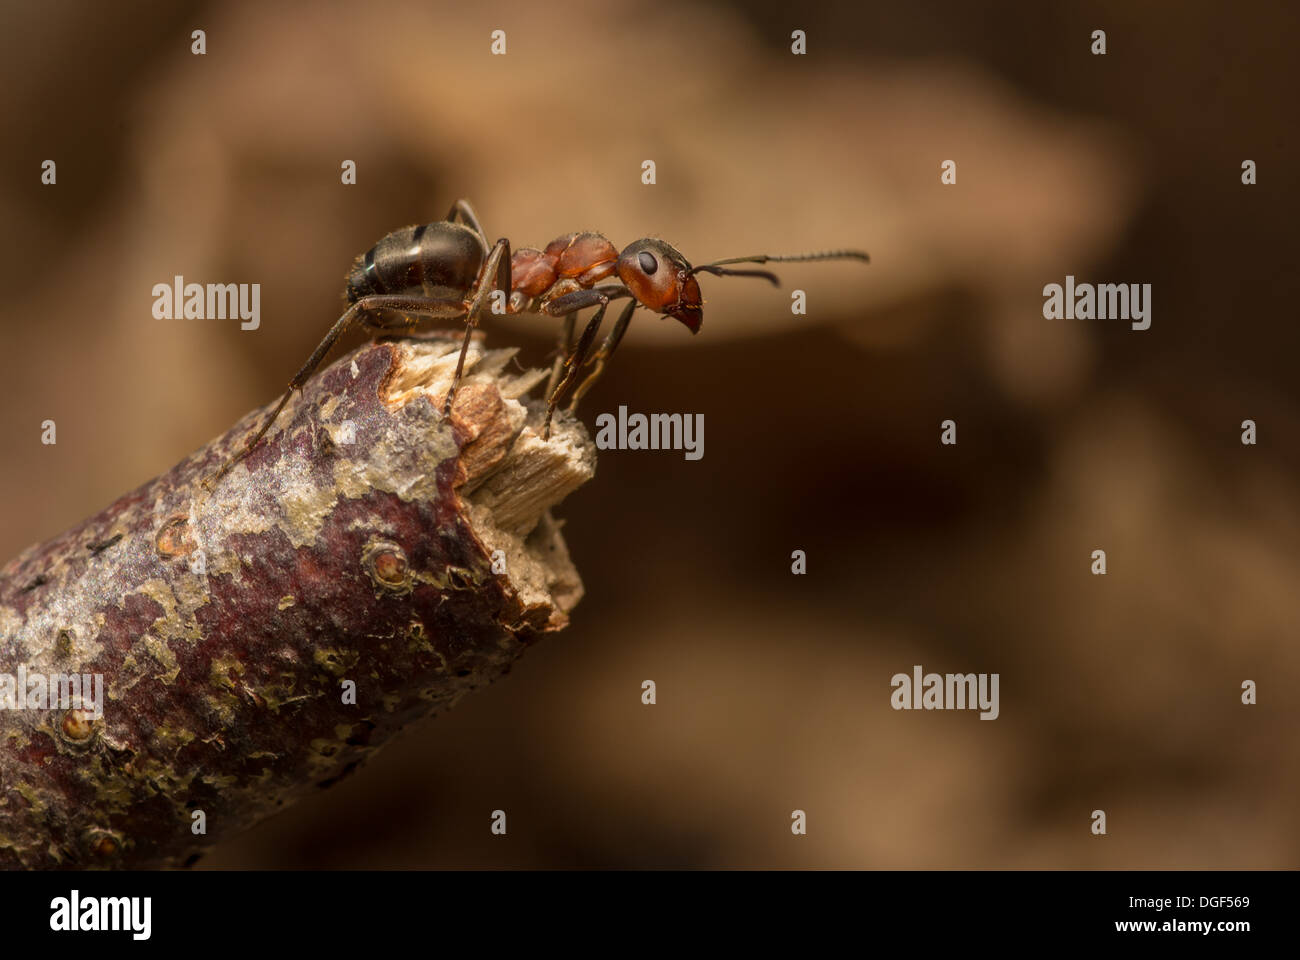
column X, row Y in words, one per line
column 822, row 433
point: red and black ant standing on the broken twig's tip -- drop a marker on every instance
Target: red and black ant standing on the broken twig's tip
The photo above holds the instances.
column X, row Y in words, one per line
column 448, row 271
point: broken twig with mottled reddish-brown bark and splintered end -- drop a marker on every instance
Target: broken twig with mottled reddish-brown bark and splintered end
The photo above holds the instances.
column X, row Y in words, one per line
column 226, row 622
